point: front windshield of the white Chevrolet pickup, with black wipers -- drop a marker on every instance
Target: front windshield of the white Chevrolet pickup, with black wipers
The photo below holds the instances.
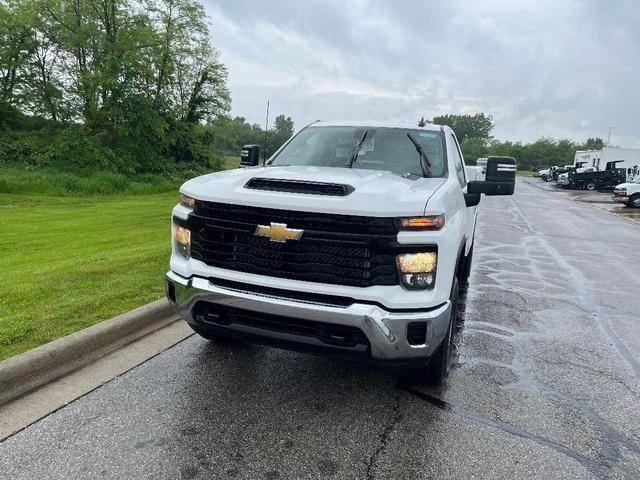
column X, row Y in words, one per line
column 388, row 149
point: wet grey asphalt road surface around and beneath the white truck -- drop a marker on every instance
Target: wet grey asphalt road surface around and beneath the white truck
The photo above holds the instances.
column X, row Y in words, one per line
column 546, row 384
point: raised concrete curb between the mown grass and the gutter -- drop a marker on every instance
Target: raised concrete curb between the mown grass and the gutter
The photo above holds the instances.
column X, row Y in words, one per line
column 25, row 372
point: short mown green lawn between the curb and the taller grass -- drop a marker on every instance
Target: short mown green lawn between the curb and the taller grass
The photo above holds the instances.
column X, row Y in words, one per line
column 67, row 263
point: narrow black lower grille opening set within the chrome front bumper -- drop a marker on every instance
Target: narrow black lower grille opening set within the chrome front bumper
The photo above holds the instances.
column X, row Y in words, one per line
column 331, row 334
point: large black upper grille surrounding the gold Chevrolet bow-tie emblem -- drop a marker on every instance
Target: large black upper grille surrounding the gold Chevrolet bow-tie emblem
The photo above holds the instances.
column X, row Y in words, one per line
column 336, row 249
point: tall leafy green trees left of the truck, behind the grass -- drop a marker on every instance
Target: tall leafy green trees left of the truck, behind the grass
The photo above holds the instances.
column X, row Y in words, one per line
column 122, row 85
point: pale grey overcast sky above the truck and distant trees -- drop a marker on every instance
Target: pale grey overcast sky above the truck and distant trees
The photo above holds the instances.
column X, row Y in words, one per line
column 542, row 68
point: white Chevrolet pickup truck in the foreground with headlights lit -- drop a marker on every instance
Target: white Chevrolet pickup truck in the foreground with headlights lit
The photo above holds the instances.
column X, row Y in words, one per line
column 352, row 239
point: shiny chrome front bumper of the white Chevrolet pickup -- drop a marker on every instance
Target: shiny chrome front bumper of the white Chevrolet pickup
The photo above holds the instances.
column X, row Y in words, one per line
column 386, row 331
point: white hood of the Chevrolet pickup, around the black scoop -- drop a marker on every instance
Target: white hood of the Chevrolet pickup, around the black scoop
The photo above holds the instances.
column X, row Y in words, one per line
column 375, row 193
